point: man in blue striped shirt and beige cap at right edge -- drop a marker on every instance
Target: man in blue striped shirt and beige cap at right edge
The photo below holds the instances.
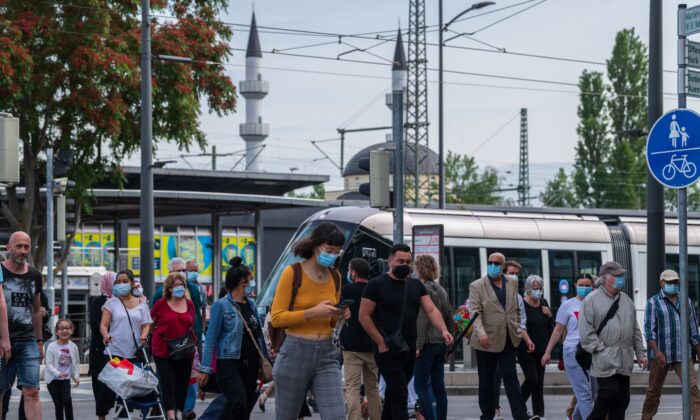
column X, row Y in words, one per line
column 662, row 327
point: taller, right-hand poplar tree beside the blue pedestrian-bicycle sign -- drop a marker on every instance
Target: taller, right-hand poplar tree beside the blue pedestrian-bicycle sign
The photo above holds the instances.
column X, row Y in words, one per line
column 627, row 110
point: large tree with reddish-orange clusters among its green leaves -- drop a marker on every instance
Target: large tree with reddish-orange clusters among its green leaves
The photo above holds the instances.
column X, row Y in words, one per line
column 71, row 74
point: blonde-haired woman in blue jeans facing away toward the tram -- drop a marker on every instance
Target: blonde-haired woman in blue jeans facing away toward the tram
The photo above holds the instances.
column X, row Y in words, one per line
column 429, row 372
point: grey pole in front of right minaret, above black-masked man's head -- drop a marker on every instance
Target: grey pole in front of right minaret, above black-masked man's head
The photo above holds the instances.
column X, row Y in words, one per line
column 397, row 123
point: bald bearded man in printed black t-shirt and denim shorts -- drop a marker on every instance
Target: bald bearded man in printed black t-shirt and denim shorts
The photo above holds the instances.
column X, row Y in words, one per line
column 21, row 322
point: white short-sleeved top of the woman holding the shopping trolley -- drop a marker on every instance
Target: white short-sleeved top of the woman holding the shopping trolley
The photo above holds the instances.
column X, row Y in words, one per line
column 125, row 338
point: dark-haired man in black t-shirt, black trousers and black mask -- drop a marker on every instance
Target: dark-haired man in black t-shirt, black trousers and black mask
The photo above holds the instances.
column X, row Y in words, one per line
column 388, row 313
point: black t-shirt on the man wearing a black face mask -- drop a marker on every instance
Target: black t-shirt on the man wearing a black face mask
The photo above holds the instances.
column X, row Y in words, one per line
column 388, row 294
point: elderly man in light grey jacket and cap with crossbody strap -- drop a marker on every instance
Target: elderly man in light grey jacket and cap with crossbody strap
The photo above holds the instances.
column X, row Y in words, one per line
column 614, row 348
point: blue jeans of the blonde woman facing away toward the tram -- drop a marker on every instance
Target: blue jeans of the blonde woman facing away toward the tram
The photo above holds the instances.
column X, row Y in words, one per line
column 429, row 381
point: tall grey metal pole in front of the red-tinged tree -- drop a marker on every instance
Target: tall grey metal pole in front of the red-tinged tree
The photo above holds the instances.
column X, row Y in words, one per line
column 147, row 214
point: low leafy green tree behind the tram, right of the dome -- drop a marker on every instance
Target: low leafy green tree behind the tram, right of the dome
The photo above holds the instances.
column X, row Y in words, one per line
column 466, row 184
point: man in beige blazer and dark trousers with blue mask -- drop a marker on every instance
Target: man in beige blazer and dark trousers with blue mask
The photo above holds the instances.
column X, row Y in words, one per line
column 496, row 336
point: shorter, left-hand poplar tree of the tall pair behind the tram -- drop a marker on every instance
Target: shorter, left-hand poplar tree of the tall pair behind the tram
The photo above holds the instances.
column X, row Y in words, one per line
column 590, row 173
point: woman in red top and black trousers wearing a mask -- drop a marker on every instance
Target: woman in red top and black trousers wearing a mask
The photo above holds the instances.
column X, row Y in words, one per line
column 173, row 343
